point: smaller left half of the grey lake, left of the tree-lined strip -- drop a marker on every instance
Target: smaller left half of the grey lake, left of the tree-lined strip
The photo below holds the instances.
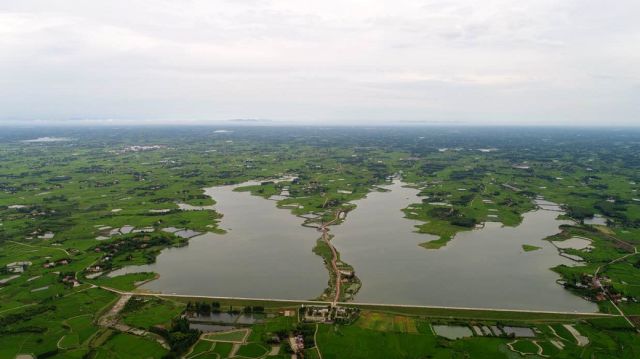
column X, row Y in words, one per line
column 265, row 253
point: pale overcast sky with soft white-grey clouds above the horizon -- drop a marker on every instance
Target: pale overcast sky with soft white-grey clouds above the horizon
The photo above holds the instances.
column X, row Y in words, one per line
column 321, row 62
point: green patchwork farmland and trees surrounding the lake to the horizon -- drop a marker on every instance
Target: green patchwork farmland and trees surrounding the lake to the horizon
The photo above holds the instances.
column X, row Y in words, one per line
column 65, row 208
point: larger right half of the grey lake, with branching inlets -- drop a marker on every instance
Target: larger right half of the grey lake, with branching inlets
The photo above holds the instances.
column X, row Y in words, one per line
column 480, row 268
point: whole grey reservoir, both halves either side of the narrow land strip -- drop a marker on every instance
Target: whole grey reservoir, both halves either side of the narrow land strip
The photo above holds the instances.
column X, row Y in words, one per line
column 266, row 253
